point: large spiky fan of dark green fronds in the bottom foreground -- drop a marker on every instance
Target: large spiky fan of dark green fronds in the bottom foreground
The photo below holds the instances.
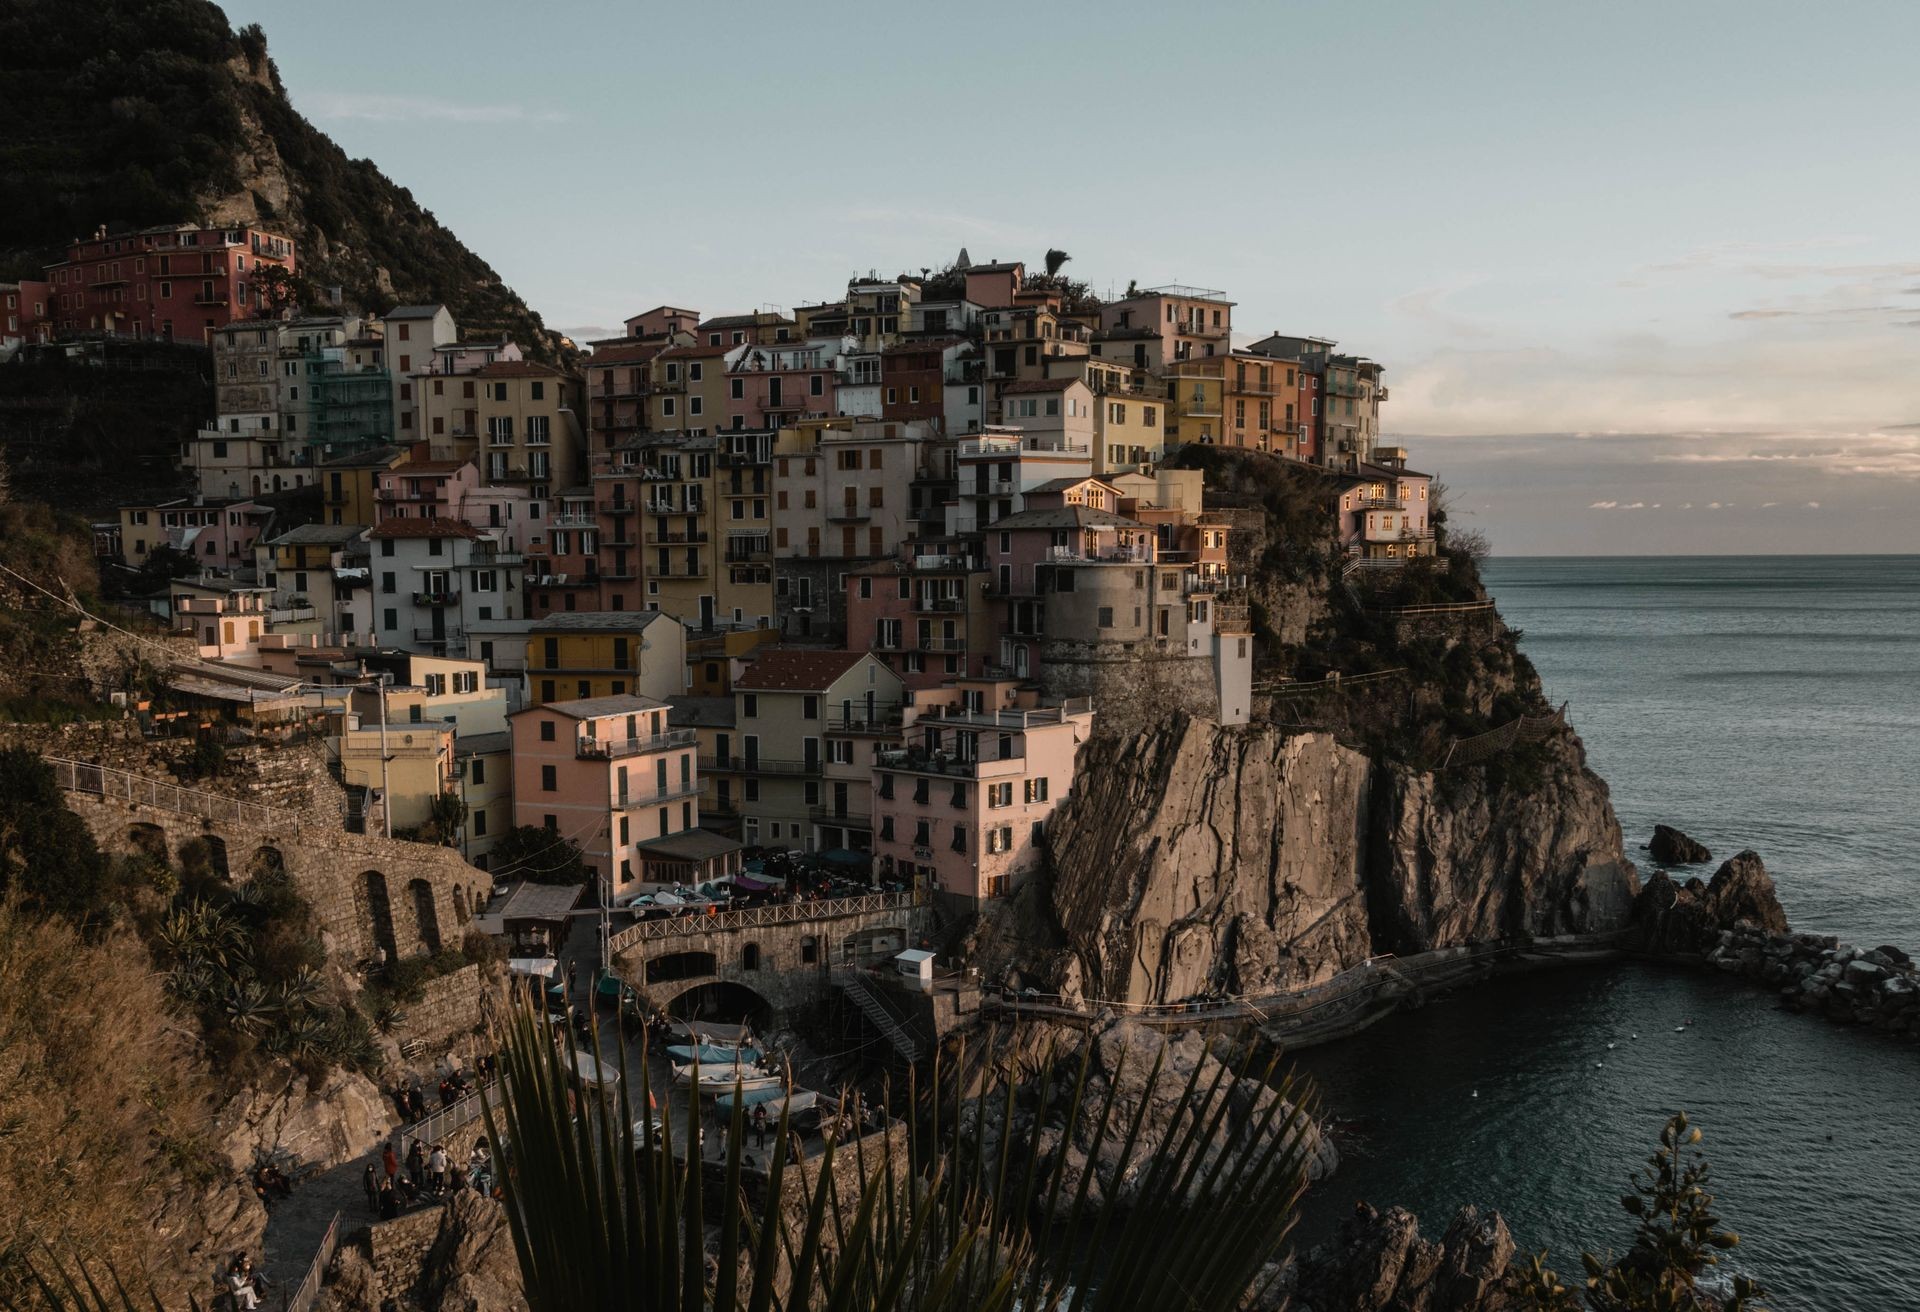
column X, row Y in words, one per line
column 921, row 1219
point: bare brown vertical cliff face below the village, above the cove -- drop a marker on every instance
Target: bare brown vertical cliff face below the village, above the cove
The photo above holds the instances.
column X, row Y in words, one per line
column 1259, row 860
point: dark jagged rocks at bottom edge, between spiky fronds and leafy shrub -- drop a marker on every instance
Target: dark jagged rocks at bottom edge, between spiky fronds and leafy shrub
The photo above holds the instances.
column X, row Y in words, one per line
column 1380, row 1263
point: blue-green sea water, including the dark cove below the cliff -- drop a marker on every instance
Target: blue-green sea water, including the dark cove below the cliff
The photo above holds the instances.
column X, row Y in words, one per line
column 1752, row 702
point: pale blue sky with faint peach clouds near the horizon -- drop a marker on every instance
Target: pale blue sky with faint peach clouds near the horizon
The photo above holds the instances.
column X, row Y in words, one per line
column 1644, row 278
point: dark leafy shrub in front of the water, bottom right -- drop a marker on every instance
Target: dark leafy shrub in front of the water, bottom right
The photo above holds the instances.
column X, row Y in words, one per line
column 1677, row 1240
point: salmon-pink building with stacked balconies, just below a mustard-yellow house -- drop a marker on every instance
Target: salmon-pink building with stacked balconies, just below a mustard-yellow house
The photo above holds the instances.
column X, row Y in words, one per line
column 610, row 775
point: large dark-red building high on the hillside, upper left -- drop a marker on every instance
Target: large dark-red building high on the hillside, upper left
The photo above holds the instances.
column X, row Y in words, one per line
column 176, row 283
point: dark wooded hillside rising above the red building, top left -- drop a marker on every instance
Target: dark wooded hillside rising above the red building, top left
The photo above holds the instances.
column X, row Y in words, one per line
column 133, row 112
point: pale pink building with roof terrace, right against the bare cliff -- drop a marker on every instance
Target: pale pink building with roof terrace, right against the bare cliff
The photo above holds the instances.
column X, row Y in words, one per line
column 965, row 808
